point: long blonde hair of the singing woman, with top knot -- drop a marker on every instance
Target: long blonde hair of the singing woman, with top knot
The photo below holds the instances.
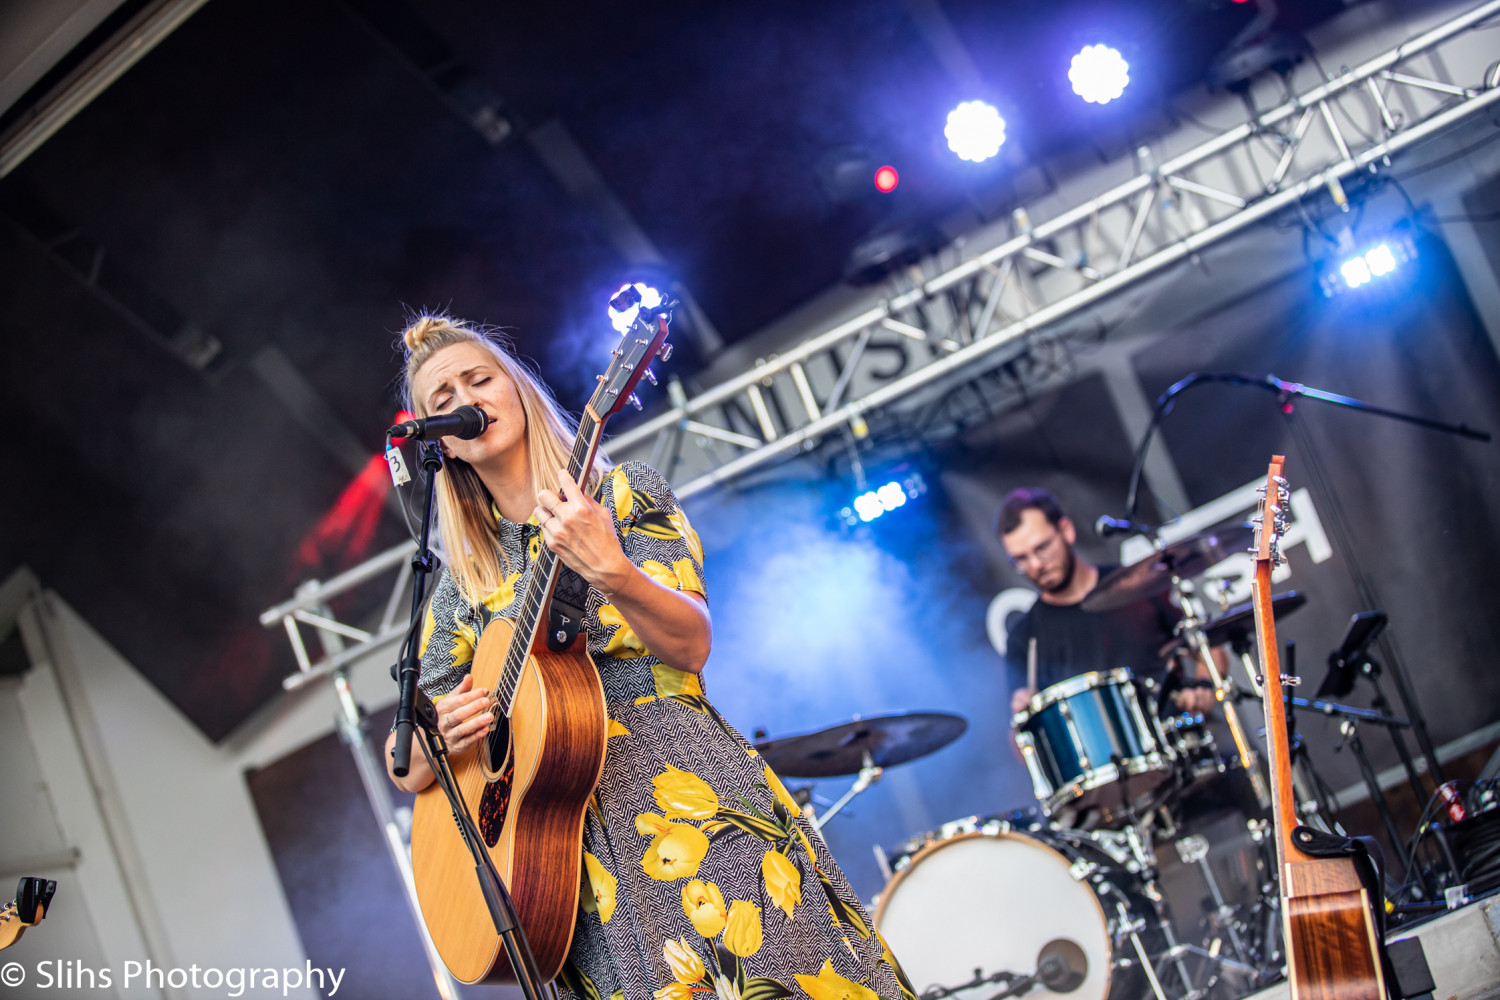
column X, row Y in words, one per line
column 464, row 504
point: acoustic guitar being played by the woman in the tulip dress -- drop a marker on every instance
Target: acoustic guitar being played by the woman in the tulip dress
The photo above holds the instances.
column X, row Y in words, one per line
column 529, row 785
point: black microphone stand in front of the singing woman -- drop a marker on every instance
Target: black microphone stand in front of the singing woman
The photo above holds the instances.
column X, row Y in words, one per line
column 416, row 710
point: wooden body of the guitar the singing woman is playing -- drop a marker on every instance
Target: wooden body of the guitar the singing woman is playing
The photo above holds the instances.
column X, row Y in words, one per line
column 530, row 816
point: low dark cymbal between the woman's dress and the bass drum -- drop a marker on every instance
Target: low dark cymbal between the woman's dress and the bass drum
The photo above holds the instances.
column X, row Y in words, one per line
column 839, row 750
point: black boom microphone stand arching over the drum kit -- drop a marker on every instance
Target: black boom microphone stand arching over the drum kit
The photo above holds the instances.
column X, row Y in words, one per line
column 1286, row 392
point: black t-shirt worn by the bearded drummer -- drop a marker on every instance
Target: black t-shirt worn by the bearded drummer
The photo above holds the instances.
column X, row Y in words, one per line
column 1072, row 641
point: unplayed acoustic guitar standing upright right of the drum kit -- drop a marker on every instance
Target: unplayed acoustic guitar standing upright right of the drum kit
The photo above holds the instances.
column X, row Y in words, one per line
column 1328, row 927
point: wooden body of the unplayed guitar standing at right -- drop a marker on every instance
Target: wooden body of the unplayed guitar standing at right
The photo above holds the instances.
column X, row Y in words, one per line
column 1331, row 941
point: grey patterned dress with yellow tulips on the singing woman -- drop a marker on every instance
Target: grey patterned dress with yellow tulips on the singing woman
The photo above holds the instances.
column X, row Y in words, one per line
column 701, row 879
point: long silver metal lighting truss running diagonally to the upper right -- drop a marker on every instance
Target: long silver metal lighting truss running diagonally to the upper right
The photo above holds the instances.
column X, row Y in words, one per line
column 974, row 316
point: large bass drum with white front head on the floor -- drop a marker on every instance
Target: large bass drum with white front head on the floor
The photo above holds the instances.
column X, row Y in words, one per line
column 992, row 902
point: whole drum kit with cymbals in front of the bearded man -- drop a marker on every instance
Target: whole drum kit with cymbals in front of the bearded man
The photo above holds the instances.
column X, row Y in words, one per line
column 1066, row 897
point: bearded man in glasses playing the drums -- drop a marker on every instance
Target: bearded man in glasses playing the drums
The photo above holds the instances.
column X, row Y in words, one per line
column 1069, row 641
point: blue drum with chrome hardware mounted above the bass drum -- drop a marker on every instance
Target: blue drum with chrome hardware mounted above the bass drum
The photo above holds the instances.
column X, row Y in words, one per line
column 1088, row 743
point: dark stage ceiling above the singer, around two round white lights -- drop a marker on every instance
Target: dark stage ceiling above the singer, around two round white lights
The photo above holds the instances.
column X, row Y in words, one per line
column 206, row 269
